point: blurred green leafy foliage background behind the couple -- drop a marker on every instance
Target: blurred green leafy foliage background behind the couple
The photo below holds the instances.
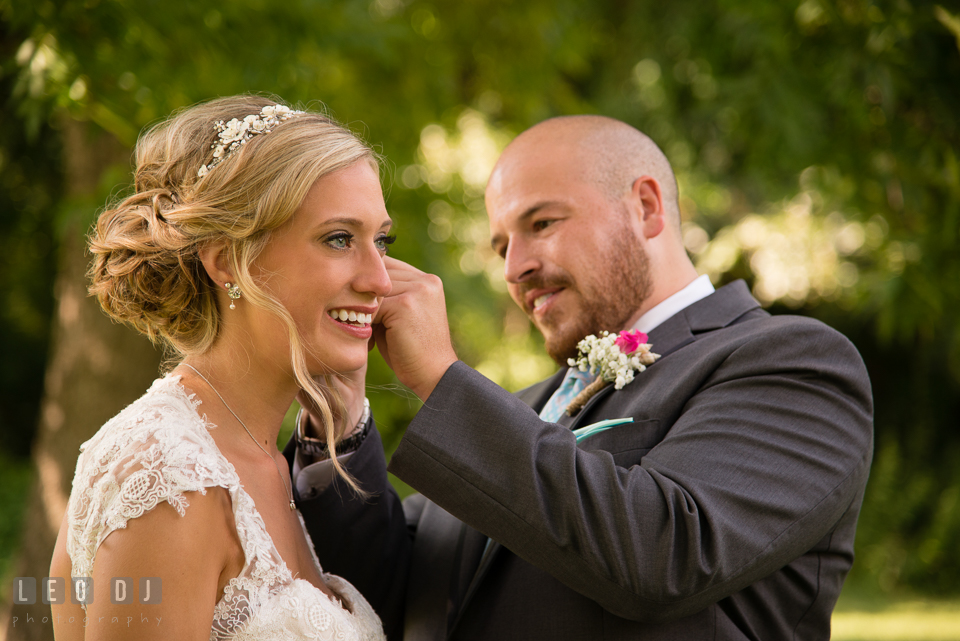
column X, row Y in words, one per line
column 815, row 142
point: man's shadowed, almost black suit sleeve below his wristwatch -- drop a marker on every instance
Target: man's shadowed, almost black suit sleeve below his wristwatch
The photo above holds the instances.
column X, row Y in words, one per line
column 364, row 541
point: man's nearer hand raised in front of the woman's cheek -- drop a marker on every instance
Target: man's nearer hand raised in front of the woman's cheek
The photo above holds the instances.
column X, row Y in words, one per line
column 411, row 328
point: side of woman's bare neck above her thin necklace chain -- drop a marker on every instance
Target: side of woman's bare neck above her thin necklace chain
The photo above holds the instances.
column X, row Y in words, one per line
column 258, row 392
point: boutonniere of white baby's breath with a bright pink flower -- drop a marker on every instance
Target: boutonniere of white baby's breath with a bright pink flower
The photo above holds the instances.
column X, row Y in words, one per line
column 614, row 358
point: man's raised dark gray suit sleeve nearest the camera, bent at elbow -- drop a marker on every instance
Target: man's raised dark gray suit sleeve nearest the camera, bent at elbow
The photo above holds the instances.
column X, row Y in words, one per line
column 758, row 465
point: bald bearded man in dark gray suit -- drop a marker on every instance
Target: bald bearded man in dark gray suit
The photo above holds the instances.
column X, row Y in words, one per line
column 725, row 508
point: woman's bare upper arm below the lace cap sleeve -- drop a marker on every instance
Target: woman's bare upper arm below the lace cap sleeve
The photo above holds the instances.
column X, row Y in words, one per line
column 192, row 555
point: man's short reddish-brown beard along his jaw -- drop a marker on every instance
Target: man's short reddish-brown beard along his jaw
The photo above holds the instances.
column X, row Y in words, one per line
column 610, row 296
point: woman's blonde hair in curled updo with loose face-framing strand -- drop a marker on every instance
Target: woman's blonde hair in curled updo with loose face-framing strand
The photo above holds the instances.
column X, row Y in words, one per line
column 146, row 267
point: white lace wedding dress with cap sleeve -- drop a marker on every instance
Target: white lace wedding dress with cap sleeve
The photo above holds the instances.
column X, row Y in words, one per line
column 157, row 449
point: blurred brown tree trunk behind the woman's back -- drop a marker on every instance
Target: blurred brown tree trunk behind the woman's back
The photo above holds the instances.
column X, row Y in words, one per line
column 96, row 368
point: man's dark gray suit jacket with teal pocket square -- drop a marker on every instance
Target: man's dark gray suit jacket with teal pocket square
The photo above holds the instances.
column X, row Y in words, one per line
column 726, row 510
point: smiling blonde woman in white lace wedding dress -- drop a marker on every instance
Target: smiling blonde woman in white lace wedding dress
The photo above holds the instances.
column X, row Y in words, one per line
column 253, row 250
